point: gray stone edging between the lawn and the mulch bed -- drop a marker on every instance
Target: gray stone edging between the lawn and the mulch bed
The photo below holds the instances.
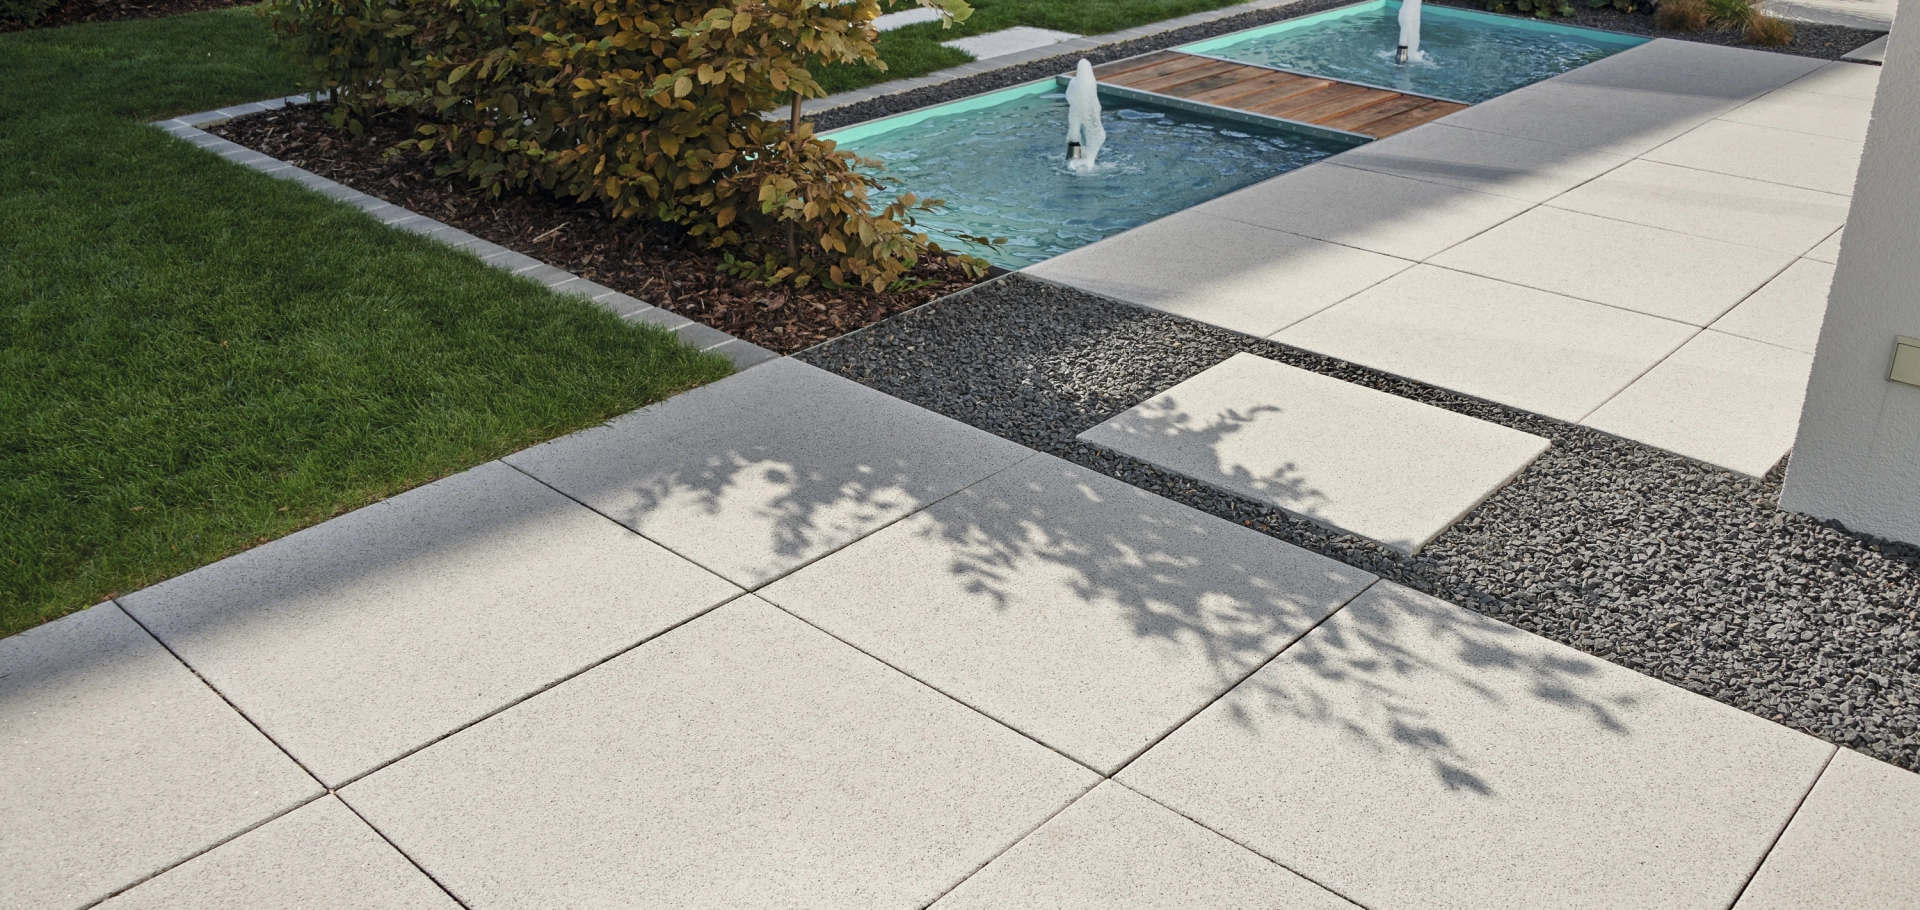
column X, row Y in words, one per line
column 708, row 339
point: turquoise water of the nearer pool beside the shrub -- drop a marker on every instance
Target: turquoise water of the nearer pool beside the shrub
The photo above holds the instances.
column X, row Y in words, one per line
column 1001, row 166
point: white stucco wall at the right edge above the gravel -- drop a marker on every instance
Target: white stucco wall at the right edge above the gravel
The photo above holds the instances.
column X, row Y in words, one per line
column 1858, row 456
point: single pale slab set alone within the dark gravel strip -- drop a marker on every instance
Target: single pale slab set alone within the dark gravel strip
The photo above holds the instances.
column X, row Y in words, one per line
column 1332, row 452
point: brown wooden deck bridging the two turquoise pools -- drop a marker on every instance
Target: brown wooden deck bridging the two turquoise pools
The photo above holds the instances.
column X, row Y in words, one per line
column 1322, row 103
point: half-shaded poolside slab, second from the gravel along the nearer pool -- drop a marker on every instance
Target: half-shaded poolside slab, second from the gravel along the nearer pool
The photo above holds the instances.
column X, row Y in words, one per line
column 1385, row 214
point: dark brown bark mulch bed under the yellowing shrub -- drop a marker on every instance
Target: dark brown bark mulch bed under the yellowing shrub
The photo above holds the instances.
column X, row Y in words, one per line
column 648, row 262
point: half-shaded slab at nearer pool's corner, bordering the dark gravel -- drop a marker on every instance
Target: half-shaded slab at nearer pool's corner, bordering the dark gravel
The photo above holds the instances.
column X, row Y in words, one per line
column 1220, row 272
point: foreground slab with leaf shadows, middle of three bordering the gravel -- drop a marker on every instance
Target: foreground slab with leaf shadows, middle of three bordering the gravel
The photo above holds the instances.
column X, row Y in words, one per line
column 1072, row 608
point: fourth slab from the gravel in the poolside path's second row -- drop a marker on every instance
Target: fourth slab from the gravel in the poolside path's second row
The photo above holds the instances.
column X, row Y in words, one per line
column 1769, row 155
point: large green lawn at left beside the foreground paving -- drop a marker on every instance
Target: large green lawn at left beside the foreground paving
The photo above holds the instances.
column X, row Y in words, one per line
column 197, row 358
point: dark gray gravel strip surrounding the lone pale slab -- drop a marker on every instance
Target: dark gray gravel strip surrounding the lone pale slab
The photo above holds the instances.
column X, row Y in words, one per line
column 1620, row 550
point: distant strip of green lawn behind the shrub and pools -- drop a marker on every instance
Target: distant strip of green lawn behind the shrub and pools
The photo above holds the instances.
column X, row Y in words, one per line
column 917, row 49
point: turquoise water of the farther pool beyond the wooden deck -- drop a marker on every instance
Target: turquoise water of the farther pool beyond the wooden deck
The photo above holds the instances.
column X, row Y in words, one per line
column 1468, row 57
